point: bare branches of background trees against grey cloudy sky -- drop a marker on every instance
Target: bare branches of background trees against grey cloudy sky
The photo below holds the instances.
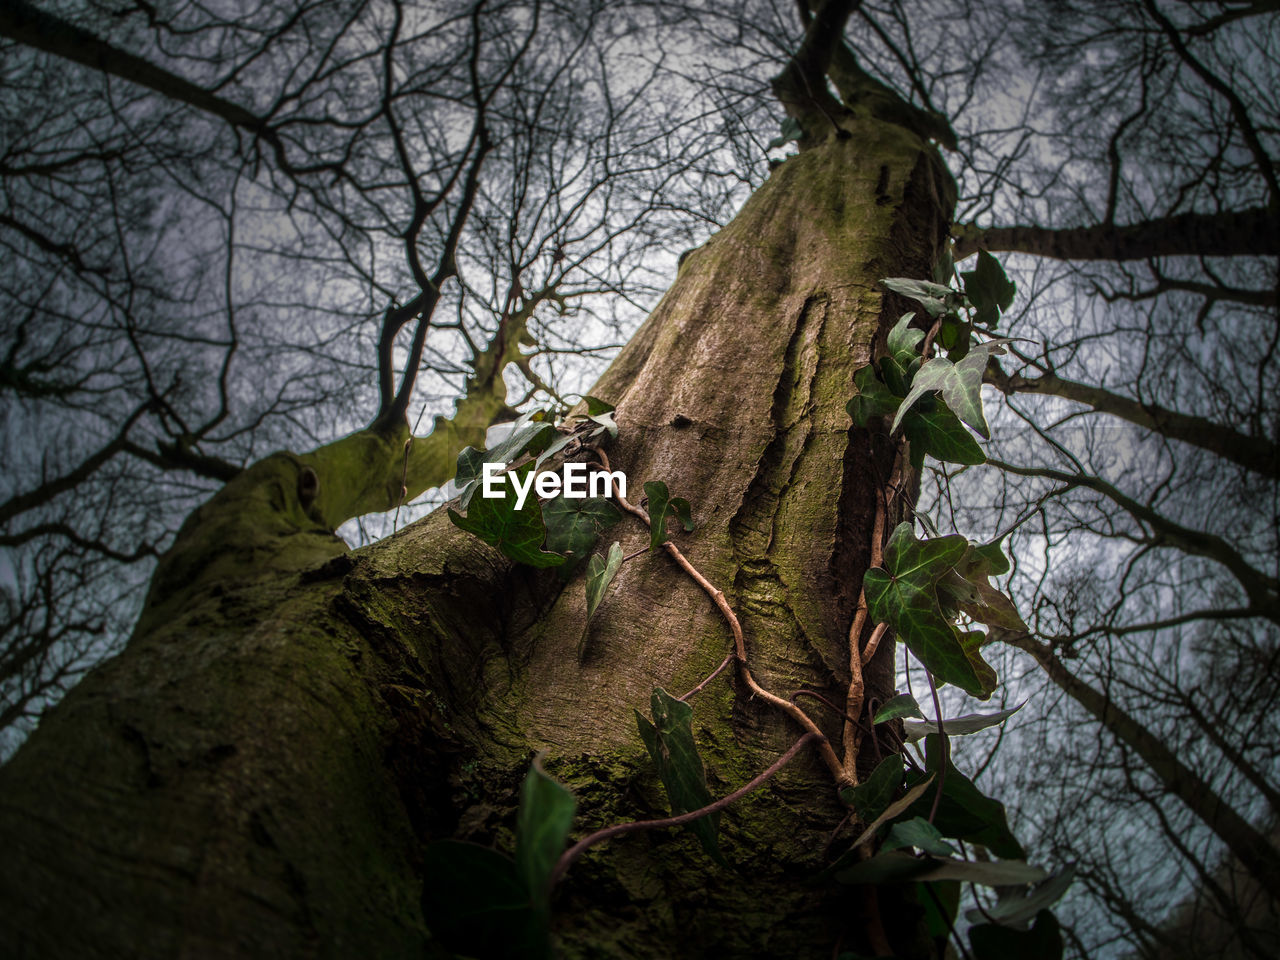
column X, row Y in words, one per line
column 235, row 230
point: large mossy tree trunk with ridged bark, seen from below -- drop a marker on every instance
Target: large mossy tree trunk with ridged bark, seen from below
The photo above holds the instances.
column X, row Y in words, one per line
column 258, row 772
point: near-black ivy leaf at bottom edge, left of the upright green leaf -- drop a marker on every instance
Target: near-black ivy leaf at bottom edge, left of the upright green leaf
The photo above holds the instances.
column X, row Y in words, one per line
column 476, row 903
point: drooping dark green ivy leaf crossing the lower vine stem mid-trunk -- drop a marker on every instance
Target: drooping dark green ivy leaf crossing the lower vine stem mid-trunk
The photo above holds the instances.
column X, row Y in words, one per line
column 670, row 740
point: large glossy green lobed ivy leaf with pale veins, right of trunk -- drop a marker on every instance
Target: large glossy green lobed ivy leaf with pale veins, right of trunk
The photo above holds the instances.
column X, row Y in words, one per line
column 904, row 595
